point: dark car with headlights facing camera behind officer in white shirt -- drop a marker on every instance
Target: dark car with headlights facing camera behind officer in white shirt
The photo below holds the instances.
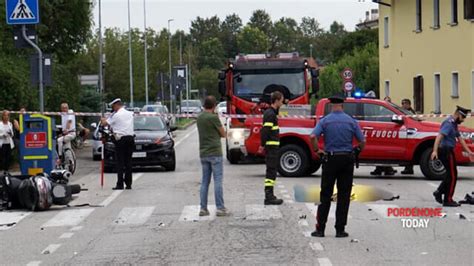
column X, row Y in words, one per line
column 154, row 145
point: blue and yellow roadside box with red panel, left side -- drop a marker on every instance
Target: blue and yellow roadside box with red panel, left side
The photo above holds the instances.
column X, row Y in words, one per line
column 37, row 144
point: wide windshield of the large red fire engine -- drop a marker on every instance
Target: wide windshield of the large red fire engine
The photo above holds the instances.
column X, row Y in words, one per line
column 250, row 84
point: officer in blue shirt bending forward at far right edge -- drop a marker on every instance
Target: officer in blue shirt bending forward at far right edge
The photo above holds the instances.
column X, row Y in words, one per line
column 444, row 150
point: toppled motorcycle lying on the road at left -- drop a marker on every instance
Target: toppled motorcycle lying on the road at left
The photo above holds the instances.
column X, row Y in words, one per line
column 36, row 193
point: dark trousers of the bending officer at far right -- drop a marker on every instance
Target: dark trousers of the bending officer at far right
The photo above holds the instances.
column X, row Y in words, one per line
column 447, row 186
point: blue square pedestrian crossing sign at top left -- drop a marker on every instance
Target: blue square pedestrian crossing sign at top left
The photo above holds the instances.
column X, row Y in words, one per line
column 22, row 11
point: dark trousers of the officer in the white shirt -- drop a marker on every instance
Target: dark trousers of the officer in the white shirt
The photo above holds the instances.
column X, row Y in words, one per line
column 124, row 150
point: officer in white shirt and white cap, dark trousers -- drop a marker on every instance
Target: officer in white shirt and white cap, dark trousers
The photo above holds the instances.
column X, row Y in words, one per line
column 121, row 124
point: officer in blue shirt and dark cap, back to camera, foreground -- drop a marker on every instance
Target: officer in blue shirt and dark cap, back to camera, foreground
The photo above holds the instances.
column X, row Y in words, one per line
column 339, row 130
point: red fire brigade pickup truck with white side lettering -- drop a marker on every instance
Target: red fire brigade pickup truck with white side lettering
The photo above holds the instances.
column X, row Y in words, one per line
column 392, row 138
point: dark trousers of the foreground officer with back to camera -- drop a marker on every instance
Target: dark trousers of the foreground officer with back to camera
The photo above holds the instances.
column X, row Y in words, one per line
column 338, row 168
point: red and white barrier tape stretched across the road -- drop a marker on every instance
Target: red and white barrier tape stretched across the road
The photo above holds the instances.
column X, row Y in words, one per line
column 238, row 115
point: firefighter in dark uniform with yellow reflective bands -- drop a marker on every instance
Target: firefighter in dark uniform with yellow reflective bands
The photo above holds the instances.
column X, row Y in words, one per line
column 270, row 141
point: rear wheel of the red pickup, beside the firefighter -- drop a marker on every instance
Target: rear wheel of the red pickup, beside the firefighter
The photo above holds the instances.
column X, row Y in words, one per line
column 293, row 161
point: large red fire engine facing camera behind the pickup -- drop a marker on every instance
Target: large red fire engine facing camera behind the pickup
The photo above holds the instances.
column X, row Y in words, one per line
column 243, row 82
